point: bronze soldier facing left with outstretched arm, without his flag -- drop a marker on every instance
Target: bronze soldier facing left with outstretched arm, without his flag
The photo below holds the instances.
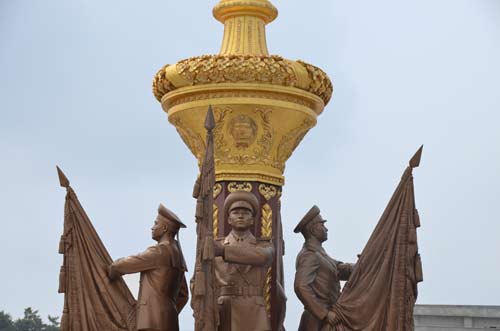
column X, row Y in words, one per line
column 163, row 289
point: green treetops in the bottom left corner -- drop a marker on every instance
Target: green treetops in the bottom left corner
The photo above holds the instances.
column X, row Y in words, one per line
column 30, row 322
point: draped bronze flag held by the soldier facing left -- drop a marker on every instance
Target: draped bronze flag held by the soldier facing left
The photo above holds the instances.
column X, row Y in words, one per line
column 91, row 301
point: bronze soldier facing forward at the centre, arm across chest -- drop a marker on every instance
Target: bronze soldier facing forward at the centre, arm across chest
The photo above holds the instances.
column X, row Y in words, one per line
column 241, row 265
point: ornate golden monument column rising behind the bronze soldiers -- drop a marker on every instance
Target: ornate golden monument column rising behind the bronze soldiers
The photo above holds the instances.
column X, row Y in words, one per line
column 263, row 105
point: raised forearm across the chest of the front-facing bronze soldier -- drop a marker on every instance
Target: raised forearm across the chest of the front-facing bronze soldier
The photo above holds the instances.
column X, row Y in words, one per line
column 252, row 255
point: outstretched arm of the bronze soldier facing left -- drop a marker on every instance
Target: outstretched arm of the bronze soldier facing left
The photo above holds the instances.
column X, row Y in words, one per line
column 136, row 263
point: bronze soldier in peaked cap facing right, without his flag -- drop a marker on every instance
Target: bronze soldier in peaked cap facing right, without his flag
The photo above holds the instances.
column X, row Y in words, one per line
column 317, row 276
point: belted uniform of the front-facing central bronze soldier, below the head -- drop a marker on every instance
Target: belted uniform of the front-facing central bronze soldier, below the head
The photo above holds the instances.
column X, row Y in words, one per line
column 241, row 276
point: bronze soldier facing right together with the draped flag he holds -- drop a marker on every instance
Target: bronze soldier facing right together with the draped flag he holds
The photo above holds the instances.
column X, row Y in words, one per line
column 382, row 289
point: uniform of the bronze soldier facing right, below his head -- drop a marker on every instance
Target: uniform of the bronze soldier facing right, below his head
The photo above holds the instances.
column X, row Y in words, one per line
column 317, row 284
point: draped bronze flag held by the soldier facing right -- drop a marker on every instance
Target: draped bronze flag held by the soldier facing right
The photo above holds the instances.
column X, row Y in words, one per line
column 381, row 292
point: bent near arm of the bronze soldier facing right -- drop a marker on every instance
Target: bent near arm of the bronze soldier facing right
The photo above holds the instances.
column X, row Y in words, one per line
column 306, row 269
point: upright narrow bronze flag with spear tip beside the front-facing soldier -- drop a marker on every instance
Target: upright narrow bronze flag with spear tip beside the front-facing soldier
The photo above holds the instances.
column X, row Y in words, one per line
column 203, row 300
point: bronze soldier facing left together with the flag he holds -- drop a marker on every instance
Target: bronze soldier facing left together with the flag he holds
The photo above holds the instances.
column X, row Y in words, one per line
column 97, row 298
